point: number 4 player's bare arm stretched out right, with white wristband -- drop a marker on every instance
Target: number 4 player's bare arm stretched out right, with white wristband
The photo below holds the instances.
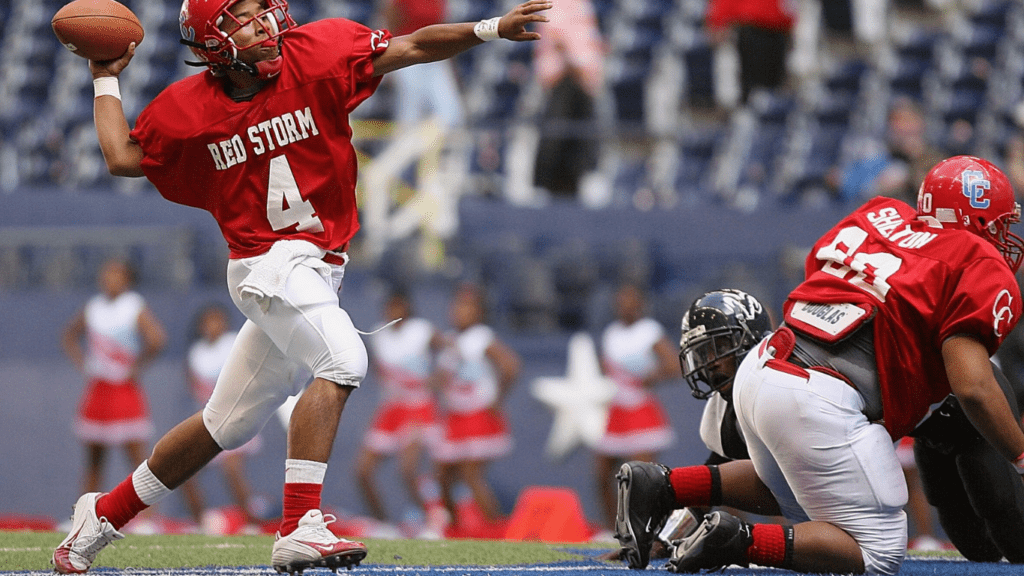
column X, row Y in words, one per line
column 443, row 42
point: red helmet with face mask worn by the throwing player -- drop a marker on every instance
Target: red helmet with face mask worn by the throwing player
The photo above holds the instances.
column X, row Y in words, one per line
column 201, row 21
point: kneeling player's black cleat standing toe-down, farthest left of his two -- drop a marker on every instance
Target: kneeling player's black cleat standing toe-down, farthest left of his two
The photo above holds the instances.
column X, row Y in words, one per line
column 646, row 501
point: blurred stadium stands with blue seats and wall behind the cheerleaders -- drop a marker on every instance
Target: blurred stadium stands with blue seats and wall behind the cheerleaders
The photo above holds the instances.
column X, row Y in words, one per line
column 676, row 146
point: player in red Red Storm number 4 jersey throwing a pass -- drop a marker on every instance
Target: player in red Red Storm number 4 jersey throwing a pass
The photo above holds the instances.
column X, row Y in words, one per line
column 262, row 141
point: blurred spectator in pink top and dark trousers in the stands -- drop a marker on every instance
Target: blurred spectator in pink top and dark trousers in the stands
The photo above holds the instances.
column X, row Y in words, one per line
column 569, row 60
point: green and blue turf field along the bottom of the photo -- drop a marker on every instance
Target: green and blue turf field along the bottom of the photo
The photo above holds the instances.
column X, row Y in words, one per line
column 28, row 554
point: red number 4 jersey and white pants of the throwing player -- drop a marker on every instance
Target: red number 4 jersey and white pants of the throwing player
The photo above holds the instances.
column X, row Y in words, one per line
column 278, row 174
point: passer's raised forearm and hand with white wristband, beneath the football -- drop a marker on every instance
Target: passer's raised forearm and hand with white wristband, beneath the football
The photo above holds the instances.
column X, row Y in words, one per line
column 123, row 155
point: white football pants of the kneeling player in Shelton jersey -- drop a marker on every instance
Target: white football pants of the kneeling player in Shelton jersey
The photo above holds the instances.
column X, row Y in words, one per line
column 823, row 460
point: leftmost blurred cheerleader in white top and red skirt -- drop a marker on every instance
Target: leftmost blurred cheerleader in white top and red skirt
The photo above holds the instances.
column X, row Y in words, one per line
column 121, row 337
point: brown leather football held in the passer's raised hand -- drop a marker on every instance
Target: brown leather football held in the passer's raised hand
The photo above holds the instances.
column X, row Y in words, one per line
column 98, row 30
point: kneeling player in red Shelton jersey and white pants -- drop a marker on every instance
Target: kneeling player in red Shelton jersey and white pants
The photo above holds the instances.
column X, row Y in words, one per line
column 900, row 308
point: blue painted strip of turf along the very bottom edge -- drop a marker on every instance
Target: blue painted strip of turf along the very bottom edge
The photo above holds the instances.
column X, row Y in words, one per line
column 913, row 567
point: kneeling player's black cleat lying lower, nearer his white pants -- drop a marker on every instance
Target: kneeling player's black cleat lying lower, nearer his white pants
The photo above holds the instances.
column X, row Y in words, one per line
column 722, row 541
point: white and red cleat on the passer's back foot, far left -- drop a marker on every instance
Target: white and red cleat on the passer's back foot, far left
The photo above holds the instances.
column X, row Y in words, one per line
column 89, row 536
